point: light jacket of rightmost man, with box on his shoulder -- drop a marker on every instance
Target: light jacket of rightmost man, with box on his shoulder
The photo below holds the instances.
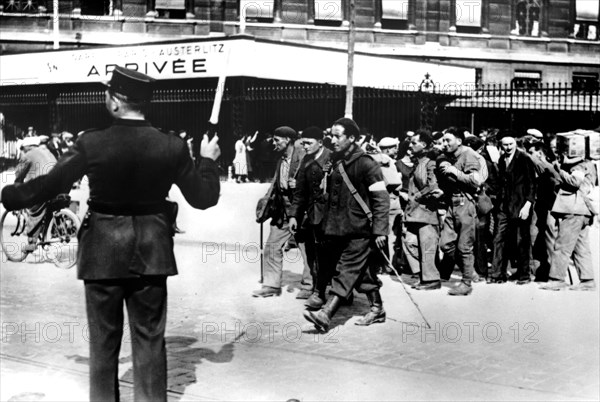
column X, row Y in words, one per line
column 576, row 181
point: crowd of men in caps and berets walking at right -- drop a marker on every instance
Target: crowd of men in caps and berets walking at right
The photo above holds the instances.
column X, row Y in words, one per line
column 458, row 207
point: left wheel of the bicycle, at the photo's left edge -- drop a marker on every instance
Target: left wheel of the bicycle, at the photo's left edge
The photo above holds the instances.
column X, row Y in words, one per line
column 13, row 235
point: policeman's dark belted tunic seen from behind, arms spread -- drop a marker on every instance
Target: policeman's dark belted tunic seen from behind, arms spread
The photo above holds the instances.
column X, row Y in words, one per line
column 130, row 166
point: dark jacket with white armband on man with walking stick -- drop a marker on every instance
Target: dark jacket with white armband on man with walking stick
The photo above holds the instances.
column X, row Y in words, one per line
column 343, row 215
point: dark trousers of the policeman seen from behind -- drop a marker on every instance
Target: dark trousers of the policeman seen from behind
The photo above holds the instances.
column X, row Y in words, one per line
column 146, row 301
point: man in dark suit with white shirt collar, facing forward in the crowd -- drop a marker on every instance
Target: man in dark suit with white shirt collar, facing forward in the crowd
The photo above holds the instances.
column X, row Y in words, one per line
column 515, row 199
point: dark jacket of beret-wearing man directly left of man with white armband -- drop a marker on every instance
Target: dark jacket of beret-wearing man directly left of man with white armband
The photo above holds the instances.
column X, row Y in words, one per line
column 308, row 196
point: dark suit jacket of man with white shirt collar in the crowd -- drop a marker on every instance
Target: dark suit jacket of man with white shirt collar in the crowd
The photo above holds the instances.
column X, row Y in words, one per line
column 517, row 183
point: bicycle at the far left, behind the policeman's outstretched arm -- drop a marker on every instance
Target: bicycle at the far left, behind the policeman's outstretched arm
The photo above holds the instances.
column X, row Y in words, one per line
column 57, row 237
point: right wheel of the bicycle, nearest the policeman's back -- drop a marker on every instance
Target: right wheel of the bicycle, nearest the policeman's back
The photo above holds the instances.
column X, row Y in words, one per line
column 61, row 243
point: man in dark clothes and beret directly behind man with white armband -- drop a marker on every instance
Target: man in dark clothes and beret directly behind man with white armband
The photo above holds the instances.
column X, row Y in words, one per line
column 309, row 200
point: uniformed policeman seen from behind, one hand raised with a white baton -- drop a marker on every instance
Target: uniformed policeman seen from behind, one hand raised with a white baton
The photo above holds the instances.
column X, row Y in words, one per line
column 125, row 243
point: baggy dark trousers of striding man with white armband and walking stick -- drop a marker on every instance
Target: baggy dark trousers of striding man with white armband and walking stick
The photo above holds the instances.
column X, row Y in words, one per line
column 344, row 260
